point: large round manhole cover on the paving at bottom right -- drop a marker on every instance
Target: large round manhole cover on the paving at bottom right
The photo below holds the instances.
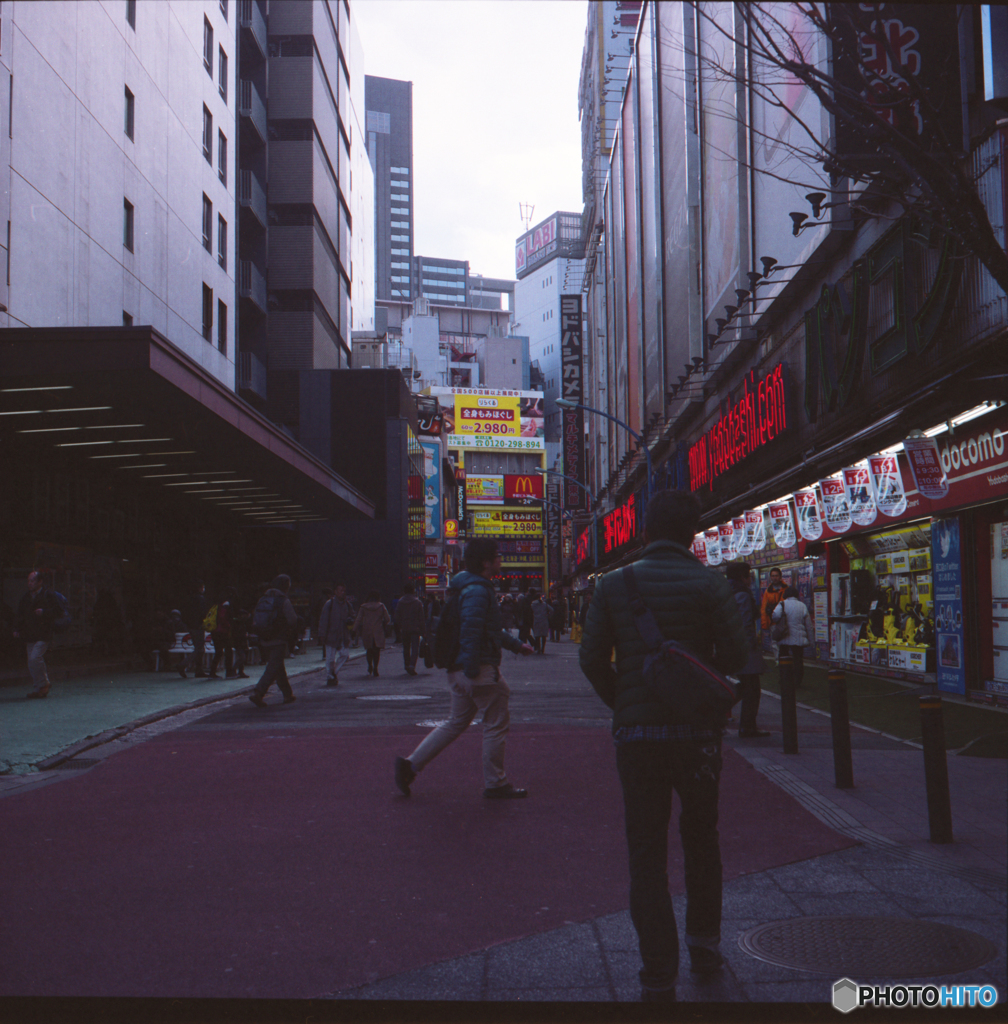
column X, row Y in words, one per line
column 868, row 948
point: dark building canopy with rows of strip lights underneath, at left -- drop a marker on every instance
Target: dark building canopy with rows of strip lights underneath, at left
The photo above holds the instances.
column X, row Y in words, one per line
column 129, row 402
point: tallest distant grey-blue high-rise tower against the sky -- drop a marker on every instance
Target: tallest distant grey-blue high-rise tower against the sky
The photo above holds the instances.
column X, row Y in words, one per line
column 390, row 125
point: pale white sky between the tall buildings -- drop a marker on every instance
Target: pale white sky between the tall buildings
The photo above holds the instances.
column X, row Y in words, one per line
column 495, row 115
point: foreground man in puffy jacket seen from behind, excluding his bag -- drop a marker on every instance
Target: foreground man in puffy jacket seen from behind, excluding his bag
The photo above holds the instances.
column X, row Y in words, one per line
column 696, row 607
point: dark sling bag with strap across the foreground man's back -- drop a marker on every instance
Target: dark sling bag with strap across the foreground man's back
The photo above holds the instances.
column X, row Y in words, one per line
column 691, row 692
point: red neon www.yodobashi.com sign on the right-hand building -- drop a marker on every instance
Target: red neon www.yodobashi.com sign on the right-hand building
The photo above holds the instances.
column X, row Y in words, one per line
column 759, row 416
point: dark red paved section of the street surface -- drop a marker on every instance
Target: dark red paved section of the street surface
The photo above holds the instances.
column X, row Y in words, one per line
column 284, row 865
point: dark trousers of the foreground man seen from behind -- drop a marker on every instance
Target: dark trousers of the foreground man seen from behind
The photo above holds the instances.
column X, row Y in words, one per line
column 649, row 774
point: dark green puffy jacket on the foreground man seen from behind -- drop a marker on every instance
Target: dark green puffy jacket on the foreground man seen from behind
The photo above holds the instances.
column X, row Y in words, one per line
column 691, row 604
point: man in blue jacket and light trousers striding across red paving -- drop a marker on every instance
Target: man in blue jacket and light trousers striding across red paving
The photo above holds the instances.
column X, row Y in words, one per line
column 469, row 644
